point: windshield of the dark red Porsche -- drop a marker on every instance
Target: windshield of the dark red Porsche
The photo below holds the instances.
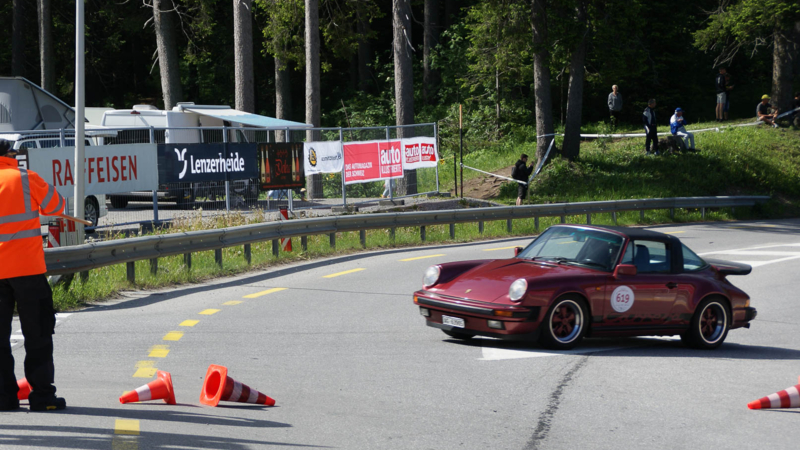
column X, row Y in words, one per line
column 571, row 245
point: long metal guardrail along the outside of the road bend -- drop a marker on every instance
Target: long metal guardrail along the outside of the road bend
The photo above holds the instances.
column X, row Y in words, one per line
column 65, row 260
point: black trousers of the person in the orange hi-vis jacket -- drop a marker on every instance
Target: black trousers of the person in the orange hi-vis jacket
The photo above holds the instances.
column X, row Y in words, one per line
column 34, row 301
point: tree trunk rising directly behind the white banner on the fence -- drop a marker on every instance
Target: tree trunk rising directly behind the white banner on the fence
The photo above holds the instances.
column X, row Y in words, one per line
column 313, row 114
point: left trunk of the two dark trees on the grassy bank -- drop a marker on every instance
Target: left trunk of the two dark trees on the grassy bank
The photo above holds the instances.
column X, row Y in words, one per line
column 541, row 79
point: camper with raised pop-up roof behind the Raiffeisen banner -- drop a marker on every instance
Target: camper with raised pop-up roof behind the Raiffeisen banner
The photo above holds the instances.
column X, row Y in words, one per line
column 31, row 118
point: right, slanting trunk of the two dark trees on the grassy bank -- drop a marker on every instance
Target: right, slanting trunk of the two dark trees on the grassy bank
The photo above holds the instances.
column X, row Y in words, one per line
column 572, row 138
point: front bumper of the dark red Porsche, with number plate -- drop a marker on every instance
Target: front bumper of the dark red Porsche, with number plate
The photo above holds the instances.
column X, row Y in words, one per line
column 480, row 318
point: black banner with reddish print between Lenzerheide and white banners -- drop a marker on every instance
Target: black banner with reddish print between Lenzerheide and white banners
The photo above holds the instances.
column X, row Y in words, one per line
column 281, row 166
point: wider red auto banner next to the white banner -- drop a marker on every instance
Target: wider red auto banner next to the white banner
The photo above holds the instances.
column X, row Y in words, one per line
column 372, row 161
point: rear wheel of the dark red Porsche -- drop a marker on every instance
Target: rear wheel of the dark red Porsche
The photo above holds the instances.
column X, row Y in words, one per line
column 710, row 324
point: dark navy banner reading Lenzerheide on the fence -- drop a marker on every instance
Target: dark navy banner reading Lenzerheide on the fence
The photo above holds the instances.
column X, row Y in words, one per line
column 189, row 163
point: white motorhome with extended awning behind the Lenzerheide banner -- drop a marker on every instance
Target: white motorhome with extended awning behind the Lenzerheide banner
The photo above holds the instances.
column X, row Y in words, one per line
column 188, row 123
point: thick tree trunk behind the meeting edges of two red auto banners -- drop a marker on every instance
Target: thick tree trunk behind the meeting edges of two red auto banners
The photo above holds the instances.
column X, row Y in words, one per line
column 403, row 83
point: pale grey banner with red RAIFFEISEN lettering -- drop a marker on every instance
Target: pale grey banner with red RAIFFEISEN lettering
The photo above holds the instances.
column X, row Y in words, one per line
column 108, row 169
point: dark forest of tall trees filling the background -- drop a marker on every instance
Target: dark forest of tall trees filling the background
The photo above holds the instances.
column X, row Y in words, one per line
column 518, row 67
